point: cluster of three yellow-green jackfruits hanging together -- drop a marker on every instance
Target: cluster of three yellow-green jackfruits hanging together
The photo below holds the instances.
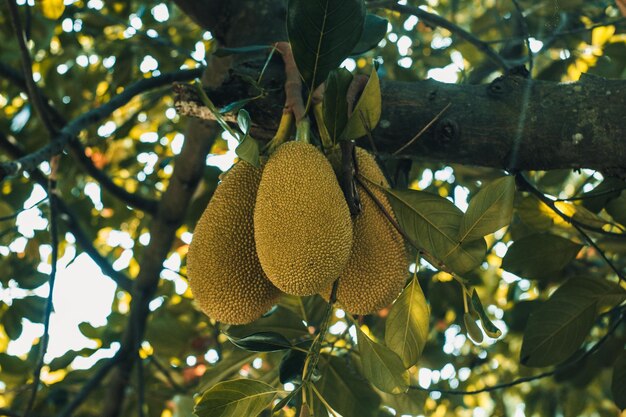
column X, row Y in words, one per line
column 287, row 228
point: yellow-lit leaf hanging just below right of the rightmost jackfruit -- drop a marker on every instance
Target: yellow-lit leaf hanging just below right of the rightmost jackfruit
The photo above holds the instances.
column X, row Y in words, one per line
column 406, row 329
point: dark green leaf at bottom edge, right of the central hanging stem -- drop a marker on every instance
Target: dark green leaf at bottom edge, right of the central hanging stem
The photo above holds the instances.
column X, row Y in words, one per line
column 346, row 391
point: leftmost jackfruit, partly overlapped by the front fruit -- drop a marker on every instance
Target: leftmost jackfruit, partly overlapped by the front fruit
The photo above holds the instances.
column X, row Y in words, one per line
column 225, row 275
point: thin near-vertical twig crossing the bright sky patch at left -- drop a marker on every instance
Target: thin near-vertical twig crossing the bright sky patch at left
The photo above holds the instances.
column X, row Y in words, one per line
column 54, row 243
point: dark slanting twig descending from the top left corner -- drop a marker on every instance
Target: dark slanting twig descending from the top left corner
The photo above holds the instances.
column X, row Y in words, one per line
column 31, row 87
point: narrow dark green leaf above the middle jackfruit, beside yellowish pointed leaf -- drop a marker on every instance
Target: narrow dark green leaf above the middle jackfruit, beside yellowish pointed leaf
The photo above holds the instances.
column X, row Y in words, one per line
column 335, row 105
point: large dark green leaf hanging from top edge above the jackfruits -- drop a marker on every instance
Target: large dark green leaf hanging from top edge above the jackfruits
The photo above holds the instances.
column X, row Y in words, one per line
column 322, row 34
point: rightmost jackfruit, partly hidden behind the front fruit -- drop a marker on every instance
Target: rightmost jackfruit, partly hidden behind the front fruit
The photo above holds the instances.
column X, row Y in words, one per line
column 378, row 267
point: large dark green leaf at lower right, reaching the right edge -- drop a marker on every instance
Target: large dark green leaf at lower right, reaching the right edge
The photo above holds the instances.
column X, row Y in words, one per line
column 560, row 325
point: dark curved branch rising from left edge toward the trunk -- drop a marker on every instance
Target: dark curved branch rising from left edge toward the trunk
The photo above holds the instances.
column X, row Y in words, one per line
column 74, row 127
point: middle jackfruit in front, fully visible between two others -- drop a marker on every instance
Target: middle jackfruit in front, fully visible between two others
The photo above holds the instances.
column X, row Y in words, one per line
column 302, row 224
